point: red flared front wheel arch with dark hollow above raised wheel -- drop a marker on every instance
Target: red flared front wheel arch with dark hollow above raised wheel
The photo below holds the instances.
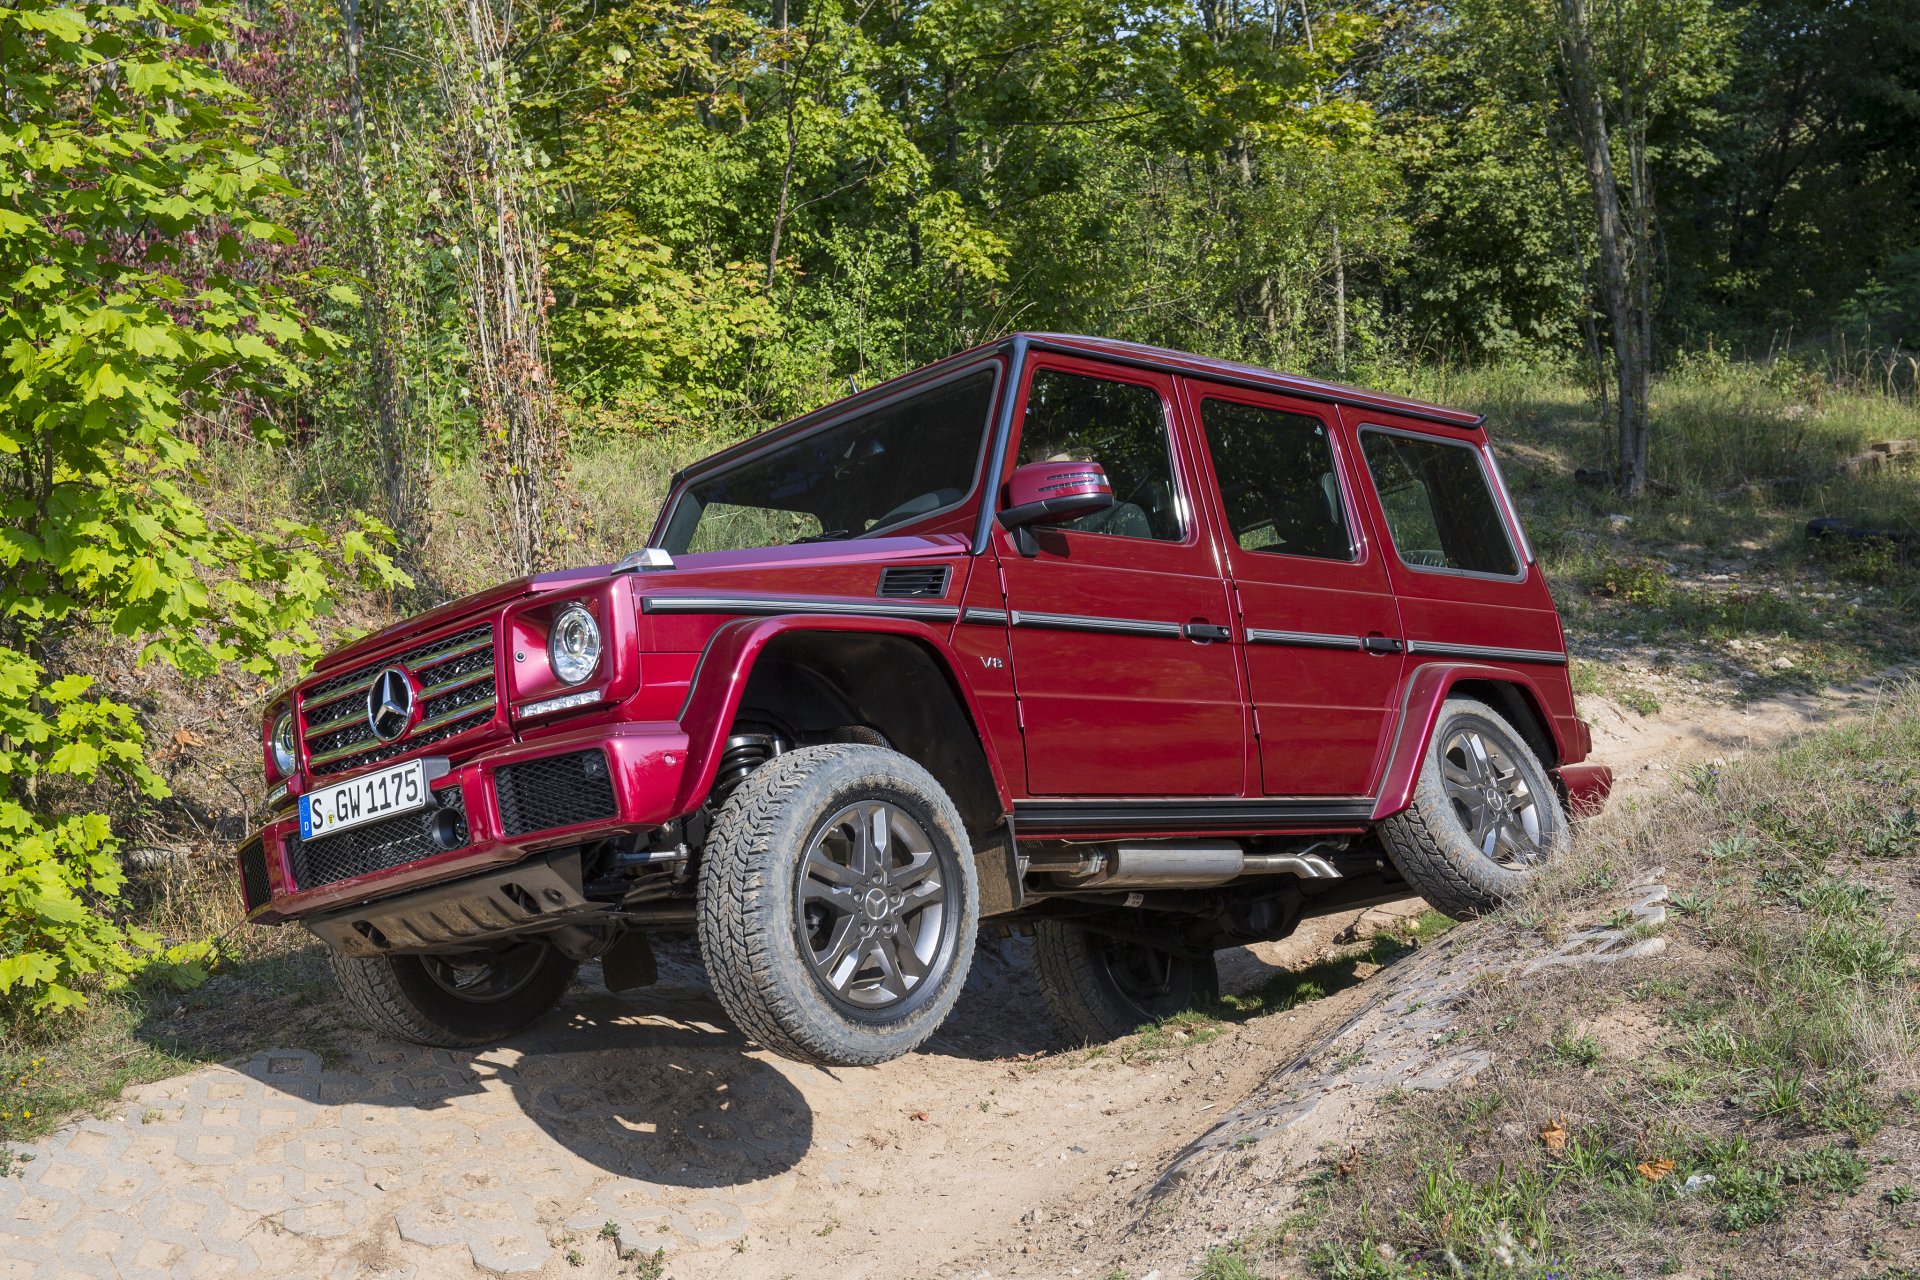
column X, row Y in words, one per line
column 823, row 673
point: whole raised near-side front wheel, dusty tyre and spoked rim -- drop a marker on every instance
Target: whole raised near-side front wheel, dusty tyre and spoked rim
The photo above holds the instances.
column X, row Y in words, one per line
column 838, row 905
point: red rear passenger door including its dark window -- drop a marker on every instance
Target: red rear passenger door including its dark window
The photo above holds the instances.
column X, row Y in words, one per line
column 1312, row 590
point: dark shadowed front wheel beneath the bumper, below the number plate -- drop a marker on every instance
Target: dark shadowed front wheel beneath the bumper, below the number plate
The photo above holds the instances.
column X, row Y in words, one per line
column 456, row 1001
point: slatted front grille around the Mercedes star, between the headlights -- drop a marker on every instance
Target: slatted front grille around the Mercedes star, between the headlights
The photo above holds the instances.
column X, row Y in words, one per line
column 456, row 692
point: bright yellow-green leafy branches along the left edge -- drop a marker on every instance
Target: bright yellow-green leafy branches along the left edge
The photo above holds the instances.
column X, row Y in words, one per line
column 133, row 208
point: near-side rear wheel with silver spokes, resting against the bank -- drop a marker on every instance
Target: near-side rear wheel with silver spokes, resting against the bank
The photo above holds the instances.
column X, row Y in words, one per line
column 1485, row 815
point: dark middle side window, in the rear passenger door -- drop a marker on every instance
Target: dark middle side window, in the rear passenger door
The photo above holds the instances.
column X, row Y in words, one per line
column 1278, row 481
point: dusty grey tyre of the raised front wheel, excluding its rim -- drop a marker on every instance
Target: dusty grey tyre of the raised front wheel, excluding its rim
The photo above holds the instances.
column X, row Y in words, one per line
column 750, row 870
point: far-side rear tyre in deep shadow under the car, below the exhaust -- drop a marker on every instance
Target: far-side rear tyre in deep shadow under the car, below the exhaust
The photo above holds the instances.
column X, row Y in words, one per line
column 1076, row 972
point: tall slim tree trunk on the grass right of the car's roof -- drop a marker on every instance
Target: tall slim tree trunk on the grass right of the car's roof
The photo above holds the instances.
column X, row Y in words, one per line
column 1627, row 310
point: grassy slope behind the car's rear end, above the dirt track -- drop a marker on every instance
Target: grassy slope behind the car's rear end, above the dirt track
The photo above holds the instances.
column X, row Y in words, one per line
column 1714, row 581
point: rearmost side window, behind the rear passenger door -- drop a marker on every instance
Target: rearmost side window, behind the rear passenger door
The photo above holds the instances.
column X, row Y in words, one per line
column 1439, row 506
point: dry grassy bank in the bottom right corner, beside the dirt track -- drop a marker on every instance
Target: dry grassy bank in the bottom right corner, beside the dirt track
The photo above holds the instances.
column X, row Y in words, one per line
column 1777, row 1095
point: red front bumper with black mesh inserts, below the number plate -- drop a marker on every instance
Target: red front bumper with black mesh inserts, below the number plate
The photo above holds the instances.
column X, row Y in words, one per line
column 644, row 772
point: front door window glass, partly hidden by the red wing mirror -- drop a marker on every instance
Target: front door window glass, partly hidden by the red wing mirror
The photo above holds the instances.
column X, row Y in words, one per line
column 1124, row 429
